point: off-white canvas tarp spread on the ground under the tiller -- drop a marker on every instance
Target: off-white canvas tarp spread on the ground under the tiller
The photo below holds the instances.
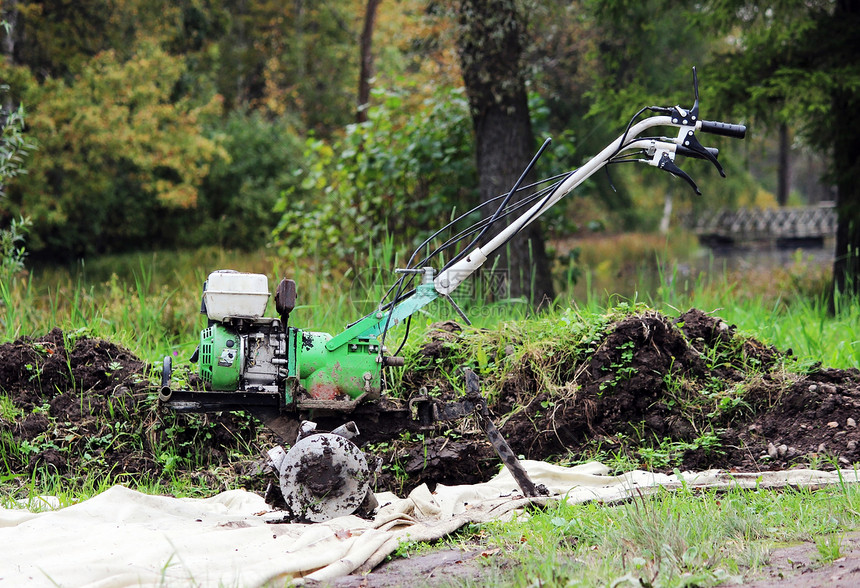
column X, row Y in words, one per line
column 125, row 538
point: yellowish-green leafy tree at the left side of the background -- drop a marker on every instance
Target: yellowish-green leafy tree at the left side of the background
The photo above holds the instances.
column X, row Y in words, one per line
column 118, row 150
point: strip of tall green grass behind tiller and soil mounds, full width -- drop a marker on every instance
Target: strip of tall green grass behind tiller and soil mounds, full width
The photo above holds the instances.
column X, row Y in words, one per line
column 149, row 302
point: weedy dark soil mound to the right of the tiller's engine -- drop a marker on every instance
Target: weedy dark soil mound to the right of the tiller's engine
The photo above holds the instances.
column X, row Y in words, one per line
column 656, row 393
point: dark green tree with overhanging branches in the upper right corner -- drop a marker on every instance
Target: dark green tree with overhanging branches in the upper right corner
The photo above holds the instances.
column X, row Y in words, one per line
column 796, row 61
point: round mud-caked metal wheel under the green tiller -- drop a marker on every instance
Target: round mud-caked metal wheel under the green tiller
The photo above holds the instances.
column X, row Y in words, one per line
column 324, row 476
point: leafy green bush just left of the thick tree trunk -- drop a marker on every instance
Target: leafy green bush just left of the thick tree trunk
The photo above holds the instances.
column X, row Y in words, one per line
column 393, row 175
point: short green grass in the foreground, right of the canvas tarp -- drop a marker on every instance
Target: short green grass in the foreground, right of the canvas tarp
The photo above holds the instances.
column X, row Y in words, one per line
column 678, row 538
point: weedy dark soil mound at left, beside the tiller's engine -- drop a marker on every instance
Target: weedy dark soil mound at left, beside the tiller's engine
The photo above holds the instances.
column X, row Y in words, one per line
column 78, row 406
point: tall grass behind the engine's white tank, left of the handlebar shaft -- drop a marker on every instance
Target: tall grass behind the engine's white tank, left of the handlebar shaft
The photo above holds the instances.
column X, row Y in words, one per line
column 150, row 302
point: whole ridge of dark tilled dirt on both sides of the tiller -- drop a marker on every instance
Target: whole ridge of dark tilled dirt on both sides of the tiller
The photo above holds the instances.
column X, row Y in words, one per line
column 647, row 390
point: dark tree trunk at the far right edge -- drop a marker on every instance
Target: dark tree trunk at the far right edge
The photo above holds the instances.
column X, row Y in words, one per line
column 846, row 167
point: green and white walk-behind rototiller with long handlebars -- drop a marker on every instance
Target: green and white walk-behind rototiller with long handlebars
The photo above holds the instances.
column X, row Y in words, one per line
column 300, row 382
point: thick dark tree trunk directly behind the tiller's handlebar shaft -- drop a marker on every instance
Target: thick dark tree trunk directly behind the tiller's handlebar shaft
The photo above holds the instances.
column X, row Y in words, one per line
column 489, row 43
